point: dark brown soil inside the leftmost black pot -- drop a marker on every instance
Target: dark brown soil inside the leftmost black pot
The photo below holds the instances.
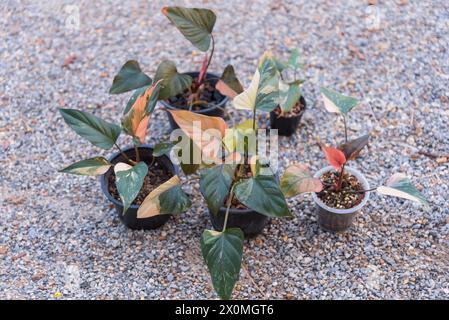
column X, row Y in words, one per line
column 156, row 176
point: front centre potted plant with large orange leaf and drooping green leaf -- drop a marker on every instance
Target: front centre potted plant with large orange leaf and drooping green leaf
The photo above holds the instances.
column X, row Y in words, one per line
column 241, row 190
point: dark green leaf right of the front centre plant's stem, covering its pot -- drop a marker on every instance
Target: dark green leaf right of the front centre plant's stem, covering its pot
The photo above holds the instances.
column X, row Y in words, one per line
column 262, row 194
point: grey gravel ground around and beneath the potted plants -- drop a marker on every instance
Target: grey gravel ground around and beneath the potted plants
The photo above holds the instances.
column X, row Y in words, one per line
column 59, row 236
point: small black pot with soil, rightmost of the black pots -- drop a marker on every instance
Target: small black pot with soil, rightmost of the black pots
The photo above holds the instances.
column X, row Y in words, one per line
column 286, row 123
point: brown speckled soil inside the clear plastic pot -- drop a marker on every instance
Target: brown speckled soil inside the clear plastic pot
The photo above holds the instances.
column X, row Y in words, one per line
column 348, row 197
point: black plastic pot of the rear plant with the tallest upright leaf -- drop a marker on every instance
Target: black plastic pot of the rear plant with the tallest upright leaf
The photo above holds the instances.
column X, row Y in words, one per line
column 214, row 111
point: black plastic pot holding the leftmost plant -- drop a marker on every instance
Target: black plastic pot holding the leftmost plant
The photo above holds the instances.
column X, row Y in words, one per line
column 129, row 219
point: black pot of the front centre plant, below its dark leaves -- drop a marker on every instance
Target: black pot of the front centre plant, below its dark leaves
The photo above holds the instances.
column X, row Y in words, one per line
column 251, row 222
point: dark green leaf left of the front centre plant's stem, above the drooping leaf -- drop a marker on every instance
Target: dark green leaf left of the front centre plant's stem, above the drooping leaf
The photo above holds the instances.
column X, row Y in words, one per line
column 215, row 183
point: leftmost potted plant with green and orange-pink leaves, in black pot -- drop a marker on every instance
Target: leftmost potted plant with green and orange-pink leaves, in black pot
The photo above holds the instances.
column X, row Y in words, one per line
column 145, row 189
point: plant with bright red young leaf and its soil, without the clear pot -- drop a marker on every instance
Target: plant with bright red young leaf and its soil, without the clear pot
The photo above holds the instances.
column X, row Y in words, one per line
column 332, row 187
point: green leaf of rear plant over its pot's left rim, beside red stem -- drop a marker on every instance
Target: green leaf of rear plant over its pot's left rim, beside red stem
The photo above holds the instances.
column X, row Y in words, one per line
column 172, row 82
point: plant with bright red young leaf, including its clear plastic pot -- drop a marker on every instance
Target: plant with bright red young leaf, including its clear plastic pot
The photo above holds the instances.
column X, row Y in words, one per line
column 339, row 191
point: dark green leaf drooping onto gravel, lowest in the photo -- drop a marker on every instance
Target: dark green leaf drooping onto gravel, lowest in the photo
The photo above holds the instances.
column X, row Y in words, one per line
column 222, row 253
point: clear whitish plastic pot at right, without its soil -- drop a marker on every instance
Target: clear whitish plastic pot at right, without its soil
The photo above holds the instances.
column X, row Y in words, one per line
column 339, row 220
